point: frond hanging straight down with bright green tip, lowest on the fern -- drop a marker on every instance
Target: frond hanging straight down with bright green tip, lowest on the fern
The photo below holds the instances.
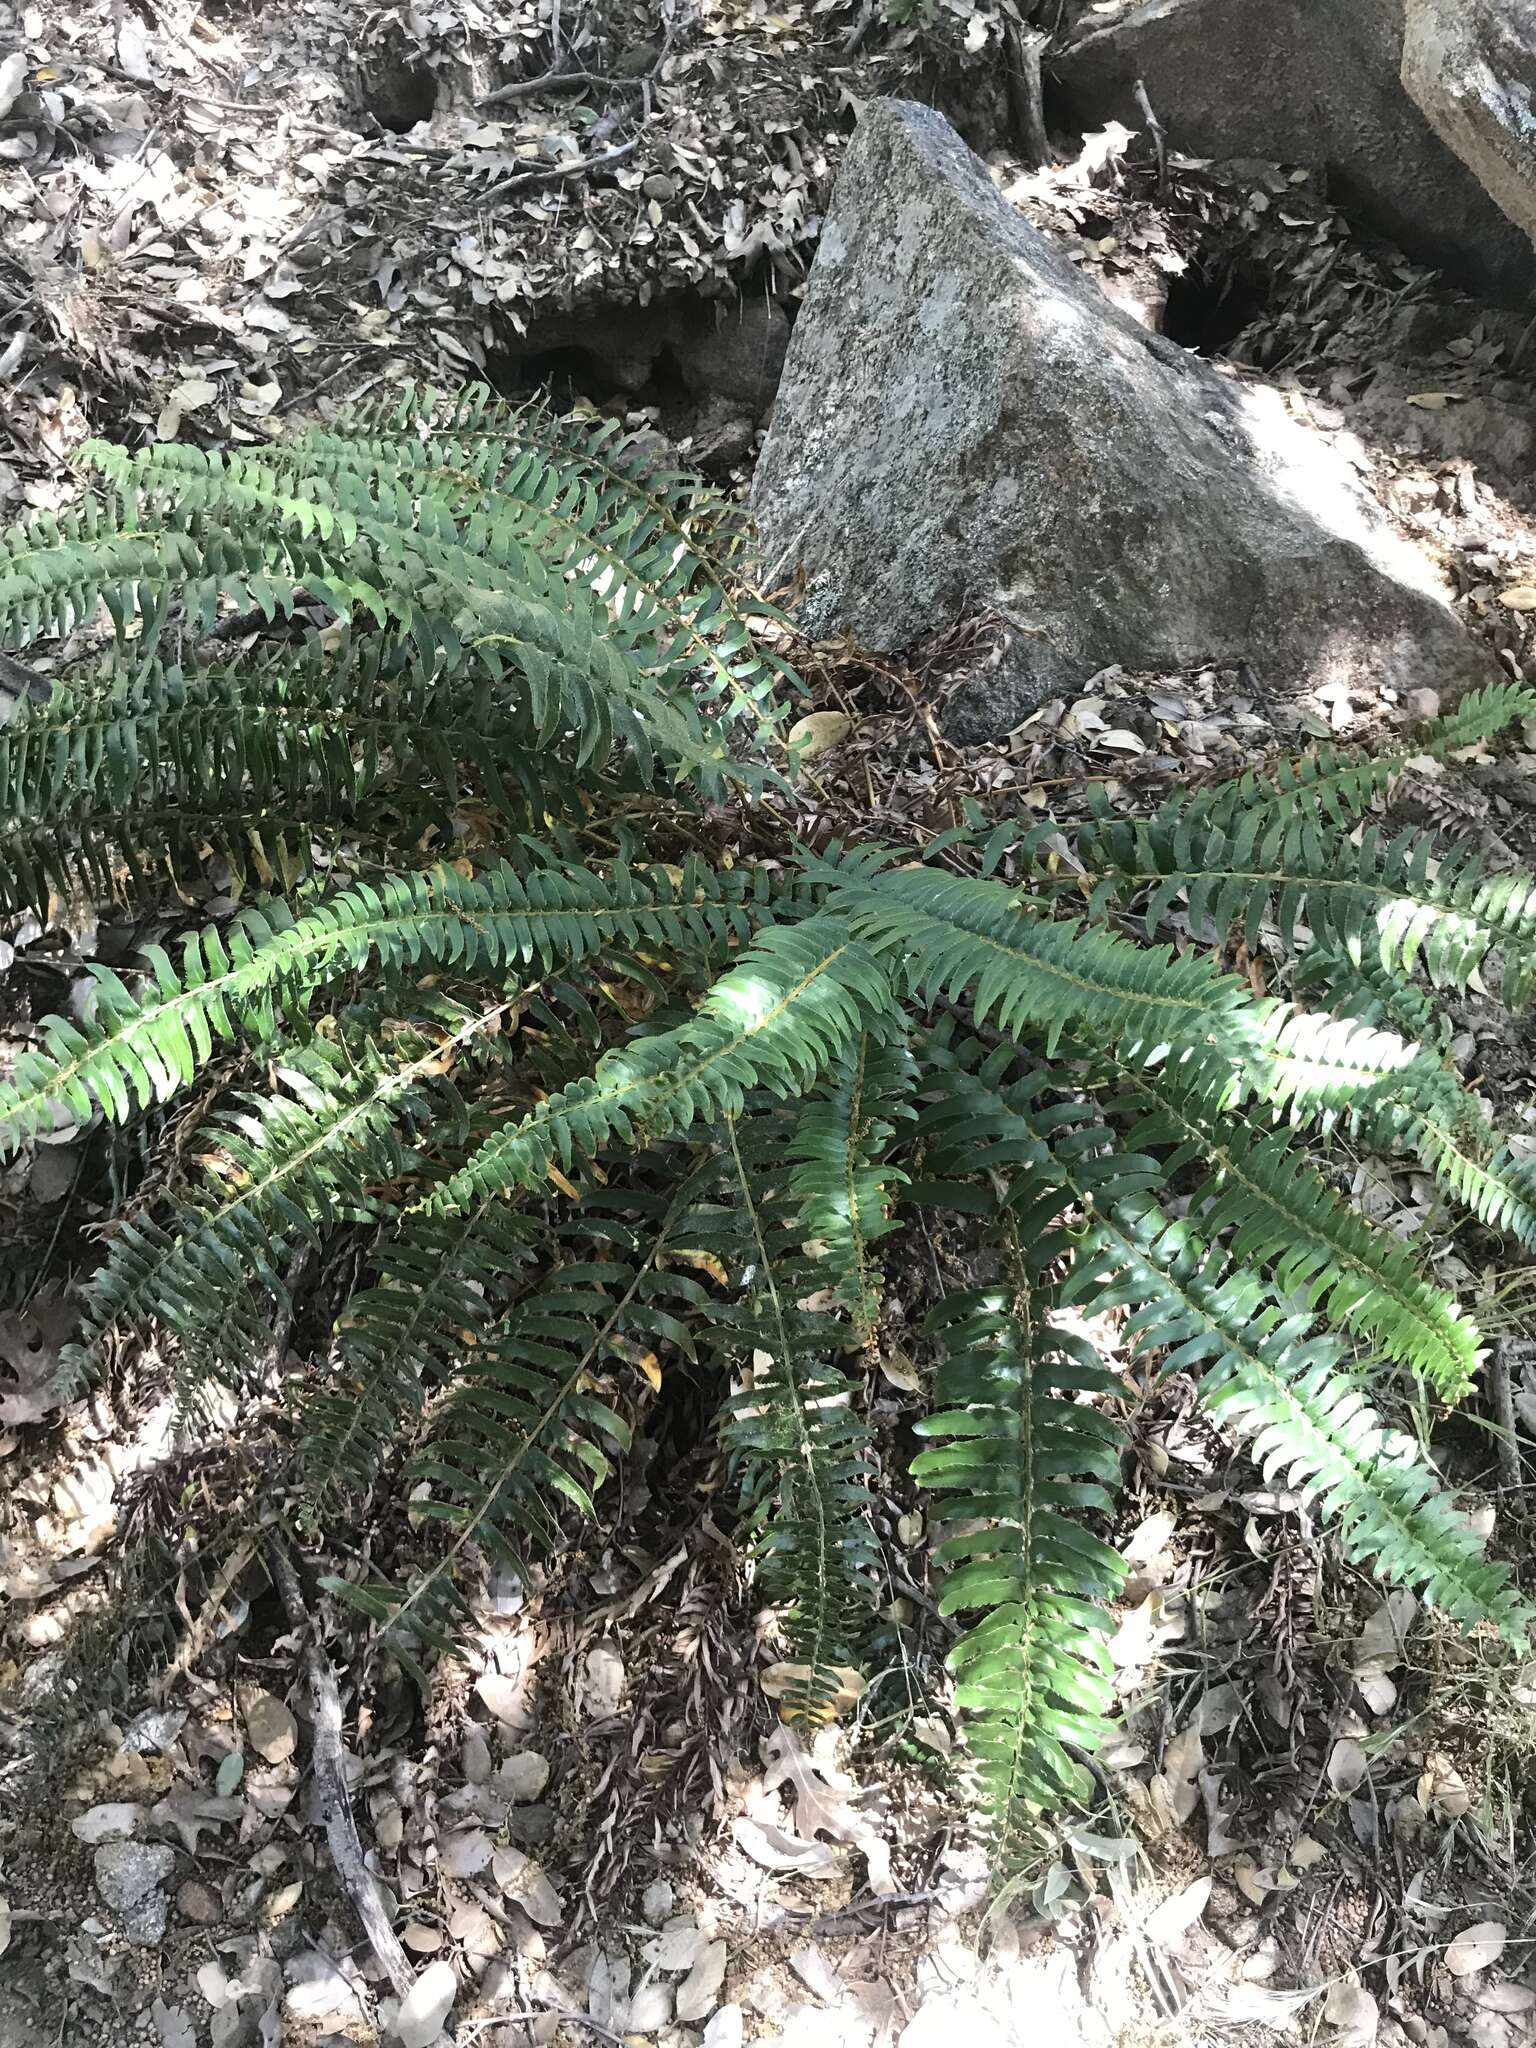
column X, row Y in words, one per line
column 1023, row 1455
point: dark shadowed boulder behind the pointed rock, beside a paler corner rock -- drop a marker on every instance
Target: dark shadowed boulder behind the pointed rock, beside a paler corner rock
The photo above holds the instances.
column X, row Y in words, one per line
column 1306, row 83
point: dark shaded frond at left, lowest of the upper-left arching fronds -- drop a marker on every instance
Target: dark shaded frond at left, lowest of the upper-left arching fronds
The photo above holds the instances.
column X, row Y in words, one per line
column 155, row 767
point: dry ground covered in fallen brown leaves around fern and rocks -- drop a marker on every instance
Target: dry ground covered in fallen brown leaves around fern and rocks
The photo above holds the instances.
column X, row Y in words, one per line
column 224, row 218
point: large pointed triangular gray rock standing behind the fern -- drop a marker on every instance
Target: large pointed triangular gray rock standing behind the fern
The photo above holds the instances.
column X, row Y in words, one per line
column 968, row 423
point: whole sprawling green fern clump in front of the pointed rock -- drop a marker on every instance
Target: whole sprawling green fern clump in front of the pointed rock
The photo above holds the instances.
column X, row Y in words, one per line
column 587, row 1107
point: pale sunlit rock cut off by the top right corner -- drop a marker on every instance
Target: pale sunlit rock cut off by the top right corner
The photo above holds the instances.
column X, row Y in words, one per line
column 1471, row 69
